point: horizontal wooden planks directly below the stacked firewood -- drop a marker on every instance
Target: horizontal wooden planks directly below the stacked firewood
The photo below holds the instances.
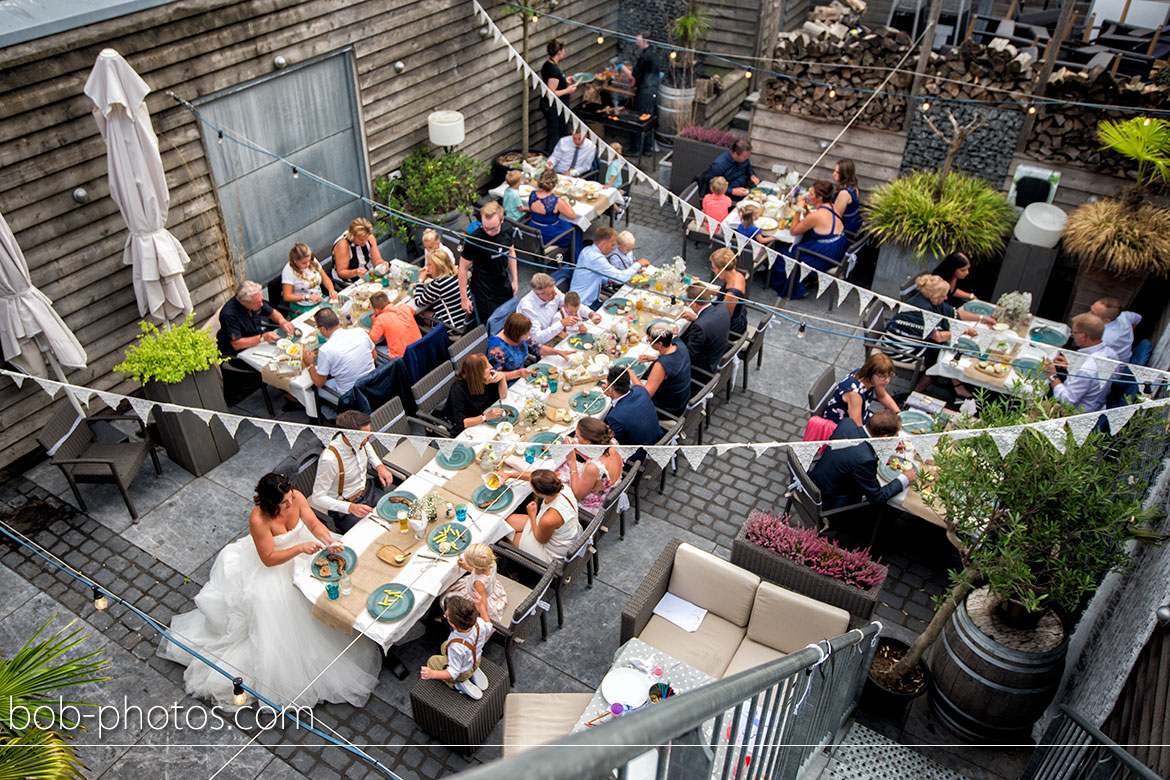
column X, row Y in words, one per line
column 796, row 142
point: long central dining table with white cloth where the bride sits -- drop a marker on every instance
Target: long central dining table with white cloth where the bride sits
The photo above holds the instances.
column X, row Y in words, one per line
column 429, row 571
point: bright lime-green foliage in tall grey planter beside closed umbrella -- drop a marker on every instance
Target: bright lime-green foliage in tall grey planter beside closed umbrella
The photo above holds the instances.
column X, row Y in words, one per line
column 170, row 355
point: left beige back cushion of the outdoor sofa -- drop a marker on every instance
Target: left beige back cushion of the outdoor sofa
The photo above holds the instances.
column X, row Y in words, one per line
column 713, row 584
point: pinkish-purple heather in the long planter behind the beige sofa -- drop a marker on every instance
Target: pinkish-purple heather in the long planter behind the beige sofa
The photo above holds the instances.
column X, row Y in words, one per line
column 807, row 548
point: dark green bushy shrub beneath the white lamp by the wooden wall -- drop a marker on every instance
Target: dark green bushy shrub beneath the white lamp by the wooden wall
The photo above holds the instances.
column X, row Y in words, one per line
column 430, row 185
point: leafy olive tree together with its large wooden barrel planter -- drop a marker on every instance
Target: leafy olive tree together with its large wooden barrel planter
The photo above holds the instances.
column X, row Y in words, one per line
column 1036, row 530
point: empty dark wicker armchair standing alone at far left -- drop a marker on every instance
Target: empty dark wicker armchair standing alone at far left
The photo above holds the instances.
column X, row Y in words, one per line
column 75, row 450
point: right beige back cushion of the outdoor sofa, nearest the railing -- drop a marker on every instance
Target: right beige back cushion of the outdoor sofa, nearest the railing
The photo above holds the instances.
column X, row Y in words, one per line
column 788, row 622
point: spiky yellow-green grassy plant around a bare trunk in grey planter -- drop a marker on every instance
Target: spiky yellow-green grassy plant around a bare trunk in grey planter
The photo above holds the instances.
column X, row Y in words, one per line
column 972, row 217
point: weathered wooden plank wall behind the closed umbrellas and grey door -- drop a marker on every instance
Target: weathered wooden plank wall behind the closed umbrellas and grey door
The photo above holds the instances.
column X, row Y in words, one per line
column 50, row 142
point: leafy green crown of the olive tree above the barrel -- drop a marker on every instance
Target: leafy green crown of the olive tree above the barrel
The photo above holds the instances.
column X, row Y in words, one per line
column 1041, row 527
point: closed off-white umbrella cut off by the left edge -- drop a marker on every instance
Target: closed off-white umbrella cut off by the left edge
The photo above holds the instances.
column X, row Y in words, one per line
column 27, row 316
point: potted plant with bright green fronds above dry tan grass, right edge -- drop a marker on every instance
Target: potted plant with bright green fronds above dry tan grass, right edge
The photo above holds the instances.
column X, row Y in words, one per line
column 1120, row 243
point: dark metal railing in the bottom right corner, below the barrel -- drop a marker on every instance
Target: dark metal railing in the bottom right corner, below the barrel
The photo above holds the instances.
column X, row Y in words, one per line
column 1076, row 750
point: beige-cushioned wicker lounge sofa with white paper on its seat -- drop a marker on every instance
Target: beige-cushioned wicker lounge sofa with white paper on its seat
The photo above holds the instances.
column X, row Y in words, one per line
column 748, row 623
